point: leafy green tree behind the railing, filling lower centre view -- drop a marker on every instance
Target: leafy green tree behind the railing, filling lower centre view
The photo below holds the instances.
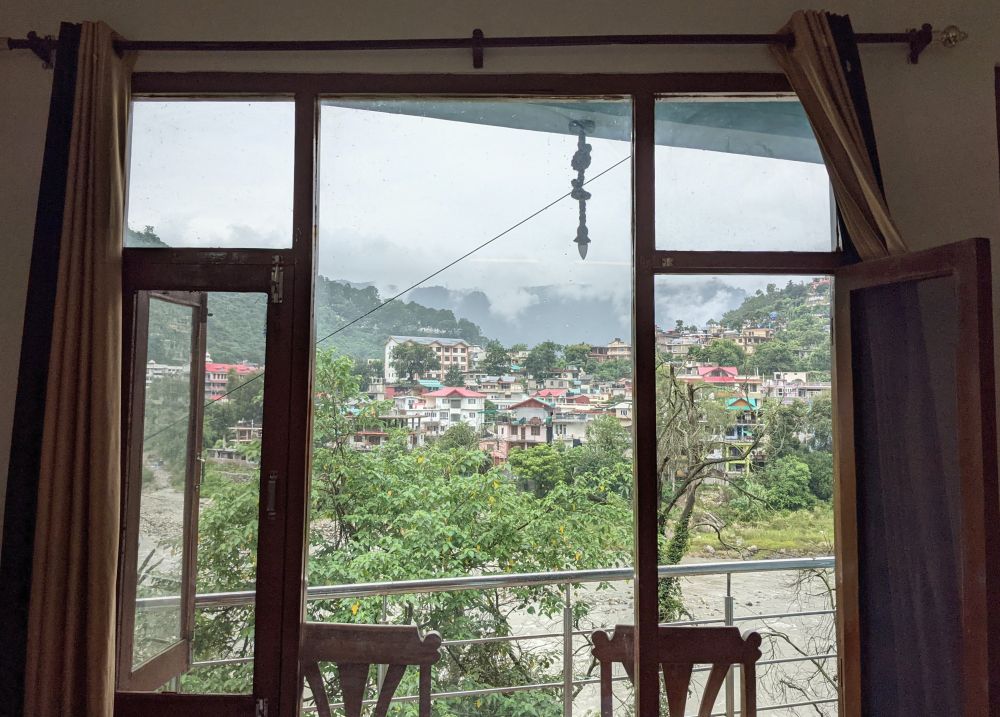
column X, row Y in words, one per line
column 405, row 512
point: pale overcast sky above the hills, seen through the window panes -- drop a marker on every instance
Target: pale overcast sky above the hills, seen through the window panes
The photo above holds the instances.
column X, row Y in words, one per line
column 400, row 196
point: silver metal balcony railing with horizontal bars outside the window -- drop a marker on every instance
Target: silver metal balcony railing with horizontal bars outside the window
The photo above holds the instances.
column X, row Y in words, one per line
column 565, row 580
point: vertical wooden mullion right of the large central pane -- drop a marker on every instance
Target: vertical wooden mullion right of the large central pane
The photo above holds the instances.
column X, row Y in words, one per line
column 644, row 503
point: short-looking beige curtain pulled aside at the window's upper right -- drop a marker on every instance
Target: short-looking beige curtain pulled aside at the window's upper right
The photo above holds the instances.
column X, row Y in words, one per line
column 814, row 71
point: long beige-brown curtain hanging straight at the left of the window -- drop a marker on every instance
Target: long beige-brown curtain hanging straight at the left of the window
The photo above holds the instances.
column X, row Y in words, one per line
column 71, row 624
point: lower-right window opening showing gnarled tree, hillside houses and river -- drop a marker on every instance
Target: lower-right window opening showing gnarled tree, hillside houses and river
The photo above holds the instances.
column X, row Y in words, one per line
column 745, row 456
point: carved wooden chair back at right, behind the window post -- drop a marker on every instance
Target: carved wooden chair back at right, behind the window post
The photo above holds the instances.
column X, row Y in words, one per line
column 679, row 650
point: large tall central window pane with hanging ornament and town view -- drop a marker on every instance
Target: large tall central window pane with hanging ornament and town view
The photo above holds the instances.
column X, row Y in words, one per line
column 490, row 406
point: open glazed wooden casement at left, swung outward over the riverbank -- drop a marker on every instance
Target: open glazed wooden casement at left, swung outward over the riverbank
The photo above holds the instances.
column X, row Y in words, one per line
column 163, row 466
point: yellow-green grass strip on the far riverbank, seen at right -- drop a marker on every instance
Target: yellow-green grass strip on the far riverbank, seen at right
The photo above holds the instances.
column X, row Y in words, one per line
column 805, row 532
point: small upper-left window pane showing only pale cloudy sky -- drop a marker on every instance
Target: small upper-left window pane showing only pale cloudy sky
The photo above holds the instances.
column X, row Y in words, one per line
column 210, row 174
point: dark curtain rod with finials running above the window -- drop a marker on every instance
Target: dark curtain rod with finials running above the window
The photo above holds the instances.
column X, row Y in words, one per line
column 917, row 40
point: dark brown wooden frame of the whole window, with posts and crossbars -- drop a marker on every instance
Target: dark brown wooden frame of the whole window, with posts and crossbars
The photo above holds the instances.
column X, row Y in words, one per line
column 202, row 266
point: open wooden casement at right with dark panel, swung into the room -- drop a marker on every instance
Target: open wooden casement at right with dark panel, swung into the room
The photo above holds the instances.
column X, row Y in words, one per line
column 917, row 499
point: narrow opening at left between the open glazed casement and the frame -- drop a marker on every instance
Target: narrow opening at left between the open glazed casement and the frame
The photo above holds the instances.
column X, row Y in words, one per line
column 230, row 494
